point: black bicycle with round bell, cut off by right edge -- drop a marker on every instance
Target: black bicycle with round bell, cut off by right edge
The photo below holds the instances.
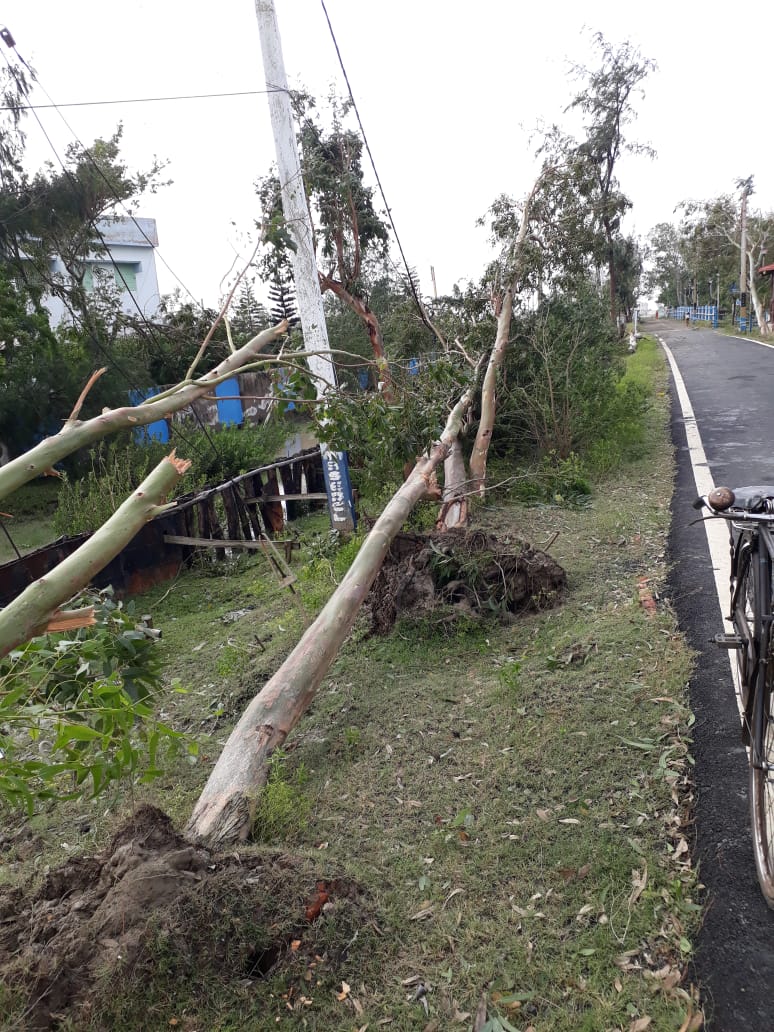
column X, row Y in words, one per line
column 750, row 512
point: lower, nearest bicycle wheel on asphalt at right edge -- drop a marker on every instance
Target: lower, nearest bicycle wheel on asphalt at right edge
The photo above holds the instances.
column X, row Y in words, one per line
column 762, row 785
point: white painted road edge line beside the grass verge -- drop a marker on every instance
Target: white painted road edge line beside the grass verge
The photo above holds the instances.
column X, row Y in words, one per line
column 718, row 535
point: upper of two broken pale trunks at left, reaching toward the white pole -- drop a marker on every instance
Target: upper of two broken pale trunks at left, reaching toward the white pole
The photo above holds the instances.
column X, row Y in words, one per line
column 77, row 435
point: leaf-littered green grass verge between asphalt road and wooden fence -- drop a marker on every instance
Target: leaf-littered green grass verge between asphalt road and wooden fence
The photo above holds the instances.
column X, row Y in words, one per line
column 508, row 803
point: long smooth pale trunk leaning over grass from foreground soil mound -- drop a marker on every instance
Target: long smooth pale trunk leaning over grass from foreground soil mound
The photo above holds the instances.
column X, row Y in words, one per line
column 225, row 810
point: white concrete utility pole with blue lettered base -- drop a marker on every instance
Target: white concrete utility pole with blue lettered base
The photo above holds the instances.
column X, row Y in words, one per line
column 307, row 278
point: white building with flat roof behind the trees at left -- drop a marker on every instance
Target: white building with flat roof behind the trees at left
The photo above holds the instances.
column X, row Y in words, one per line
column 131, row 266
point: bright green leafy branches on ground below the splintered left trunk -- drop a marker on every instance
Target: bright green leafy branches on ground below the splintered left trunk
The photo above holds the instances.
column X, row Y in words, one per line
column 76, row 713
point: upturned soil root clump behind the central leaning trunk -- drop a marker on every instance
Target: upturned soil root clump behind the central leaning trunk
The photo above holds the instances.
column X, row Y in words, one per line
column 468, row 572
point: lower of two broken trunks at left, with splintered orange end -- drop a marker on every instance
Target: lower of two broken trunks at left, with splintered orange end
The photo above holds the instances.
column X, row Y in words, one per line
column 33, row 611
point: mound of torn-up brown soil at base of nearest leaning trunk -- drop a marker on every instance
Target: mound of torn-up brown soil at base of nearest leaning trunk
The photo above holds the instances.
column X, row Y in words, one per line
column 99, row 922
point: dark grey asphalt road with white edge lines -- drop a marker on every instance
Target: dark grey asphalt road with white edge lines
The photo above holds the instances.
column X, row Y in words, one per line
column 731, row 385
